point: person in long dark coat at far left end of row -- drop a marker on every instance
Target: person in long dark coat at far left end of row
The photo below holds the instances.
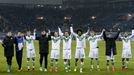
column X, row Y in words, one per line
column 8, row 44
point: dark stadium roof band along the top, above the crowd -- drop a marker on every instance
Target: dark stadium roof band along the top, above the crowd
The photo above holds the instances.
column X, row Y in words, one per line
column 67, row 3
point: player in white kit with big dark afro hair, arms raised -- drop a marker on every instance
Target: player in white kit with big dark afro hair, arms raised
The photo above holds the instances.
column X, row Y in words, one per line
column 80, row 52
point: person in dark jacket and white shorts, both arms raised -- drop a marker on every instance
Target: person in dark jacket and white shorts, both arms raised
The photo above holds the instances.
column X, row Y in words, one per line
column 110, row 47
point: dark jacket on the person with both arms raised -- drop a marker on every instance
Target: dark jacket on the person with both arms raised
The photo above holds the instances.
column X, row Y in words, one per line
column 110, row 44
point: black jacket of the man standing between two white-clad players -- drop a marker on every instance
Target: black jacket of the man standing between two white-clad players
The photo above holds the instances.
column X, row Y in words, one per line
column 43, row 43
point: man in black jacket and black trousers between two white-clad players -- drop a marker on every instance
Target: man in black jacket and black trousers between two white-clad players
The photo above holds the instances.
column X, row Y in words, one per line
column 44, row 48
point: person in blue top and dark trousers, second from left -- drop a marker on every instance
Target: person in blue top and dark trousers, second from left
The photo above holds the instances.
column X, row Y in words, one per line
column 19, row 49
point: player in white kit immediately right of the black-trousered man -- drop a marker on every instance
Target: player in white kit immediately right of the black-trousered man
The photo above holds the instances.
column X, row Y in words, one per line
column 55, row 52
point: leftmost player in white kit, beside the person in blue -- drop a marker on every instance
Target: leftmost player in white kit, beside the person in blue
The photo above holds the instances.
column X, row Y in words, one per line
column 30, row 50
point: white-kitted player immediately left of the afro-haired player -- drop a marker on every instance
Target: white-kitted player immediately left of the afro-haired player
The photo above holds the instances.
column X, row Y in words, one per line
column 67, row 40
